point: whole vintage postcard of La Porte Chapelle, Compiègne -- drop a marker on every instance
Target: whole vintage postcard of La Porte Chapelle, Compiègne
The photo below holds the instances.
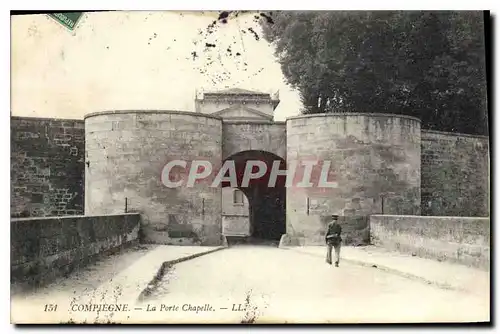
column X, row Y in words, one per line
column 250, row 167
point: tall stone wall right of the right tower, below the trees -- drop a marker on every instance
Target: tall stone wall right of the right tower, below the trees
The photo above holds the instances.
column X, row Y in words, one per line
column 455, row 175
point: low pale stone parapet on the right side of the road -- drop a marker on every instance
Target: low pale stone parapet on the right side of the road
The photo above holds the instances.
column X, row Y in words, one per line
column 464, row 240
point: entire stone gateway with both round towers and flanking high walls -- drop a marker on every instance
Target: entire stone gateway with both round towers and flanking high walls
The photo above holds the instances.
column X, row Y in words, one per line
column 374, row 159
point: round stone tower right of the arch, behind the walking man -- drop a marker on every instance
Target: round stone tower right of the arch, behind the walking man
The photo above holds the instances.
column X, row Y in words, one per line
column 373, row 158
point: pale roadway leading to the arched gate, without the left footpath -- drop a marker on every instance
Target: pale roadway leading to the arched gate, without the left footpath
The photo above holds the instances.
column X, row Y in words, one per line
column 285, row 286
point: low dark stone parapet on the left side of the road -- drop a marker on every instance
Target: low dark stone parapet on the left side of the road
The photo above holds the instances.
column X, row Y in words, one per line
column 45, row 248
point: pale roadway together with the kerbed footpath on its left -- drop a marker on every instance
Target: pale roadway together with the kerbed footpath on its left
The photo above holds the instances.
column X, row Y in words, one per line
column 246, row 284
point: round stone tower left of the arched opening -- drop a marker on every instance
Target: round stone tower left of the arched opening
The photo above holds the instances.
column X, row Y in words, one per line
column 126, row 152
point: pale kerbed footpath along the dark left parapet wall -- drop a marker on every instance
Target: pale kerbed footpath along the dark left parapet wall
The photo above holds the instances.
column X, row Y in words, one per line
column 119, row 278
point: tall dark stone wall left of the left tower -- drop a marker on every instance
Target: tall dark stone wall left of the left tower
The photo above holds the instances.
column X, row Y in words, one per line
column 47, row 167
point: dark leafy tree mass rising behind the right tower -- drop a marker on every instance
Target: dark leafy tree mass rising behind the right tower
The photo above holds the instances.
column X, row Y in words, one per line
column 425, row 64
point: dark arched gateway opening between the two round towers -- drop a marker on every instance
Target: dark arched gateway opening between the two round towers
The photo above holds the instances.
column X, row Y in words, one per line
column 266, row 203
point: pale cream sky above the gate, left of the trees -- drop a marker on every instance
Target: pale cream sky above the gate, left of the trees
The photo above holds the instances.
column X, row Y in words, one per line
column 138, row 60
